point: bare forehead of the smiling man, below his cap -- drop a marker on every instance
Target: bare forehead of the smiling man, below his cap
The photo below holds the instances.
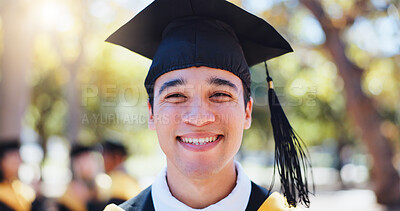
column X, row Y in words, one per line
column 197, row 75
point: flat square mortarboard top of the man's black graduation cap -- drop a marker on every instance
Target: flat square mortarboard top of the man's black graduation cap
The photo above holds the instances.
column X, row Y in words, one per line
column 143, row 34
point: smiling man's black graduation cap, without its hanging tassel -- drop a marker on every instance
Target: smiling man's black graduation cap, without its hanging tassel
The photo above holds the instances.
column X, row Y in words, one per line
column 196, row 26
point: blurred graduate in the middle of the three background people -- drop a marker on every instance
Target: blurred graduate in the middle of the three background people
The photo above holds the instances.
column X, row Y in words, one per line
column 81, row 192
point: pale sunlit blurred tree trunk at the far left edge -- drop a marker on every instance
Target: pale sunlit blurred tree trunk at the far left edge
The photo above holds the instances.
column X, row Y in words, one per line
column 15, row 66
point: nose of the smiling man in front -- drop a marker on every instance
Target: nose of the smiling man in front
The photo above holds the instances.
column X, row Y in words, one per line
column 198, row 114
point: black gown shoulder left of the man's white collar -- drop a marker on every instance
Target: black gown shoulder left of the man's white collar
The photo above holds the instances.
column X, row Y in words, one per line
column 141, row 202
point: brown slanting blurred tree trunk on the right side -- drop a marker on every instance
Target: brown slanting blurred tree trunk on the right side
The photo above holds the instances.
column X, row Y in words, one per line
column 362, row 112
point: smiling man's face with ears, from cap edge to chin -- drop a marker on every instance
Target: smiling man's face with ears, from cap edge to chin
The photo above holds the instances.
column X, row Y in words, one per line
column 199, row 116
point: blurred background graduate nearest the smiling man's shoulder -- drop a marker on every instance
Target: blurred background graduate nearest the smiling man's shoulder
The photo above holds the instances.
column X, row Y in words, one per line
column 123, row 185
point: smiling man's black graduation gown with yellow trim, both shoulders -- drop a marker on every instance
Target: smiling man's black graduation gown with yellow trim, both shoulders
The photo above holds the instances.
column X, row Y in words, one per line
column 259, row 200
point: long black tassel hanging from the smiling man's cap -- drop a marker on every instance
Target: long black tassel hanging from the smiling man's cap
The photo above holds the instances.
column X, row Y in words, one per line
column 290, row 159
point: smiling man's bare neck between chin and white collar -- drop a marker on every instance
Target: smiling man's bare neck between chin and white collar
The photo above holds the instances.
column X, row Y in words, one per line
column 201, row 192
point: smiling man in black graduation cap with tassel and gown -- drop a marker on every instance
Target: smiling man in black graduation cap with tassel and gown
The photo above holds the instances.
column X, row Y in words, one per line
column 199, row 105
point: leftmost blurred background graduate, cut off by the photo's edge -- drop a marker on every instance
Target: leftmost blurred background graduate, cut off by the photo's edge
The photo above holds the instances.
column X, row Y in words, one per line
column 14, row 195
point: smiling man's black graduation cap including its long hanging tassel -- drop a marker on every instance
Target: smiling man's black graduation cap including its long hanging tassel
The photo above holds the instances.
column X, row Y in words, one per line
column 178, row 34
